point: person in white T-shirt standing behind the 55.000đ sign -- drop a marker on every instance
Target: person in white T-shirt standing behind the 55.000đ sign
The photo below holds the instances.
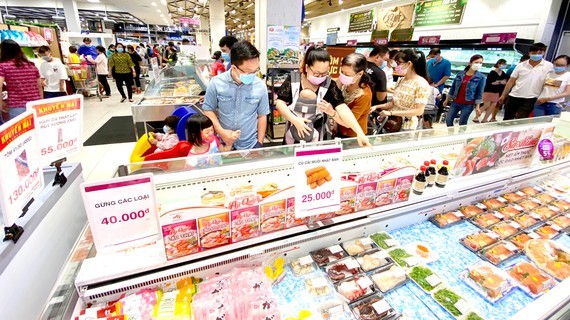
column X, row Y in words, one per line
column 52, row 73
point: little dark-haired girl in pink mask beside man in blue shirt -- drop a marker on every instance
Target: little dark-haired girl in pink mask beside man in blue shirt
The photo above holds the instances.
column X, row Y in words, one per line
column 200, row 134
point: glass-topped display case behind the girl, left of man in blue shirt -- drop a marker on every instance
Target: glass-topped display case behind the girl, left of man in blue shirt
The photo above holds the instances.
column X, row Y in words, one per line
column 177, row 86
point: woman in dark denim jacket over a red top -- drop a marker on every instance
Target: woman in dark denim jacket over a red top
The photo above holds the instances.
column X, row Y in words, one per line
column 466, row 91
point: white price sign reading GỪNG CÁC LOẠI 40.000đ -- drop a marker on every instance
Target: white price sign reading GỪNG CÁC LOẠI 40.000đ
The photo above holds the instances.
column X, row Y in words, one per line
column 122, row 212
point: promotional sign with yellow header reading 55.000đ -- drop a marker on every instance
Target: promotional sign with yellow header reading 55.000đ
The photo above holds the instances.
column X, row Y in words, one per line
column 59, row 122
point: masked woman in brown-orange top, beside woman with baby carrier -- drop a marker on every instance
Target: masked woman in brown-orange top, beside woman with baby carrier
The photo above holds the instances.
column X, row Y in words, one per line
column 356, row 91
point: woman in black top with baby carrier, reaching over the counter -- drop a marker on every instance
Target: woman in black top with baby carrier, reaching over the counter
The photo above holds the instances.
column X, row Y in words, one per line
column 314, row 76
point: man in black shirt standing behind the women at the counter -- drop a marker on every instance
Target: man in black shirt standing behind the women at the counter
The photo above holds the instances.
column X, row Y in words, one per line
column 378, row 59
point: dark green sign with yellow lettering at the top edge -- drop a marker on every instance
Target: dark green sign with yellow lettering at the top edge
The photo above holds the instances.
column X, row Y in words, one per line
column 437, row 12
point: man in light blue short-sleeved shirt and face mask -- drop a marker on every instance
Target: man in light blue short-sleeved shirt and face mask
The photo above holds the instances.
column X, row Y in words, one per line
column 237, row 100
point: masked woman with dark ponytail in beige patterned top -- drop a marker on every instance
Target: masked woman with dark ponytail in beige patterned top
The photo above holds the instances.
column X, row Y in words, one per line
column 412, row 90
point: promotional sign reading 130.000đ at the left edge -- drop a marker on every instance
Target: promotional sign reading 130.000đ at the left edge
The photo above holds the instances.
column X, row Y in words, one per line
column 21, row 177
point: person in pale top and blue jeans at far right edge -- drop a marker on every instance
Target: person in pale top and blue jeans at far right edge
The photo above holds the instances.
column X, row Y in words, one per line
column 556, row 89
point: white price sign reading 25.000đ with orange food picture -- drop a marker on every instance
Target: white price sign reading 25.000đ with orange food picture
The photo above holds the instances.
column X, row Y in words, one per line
column 317, row 180
